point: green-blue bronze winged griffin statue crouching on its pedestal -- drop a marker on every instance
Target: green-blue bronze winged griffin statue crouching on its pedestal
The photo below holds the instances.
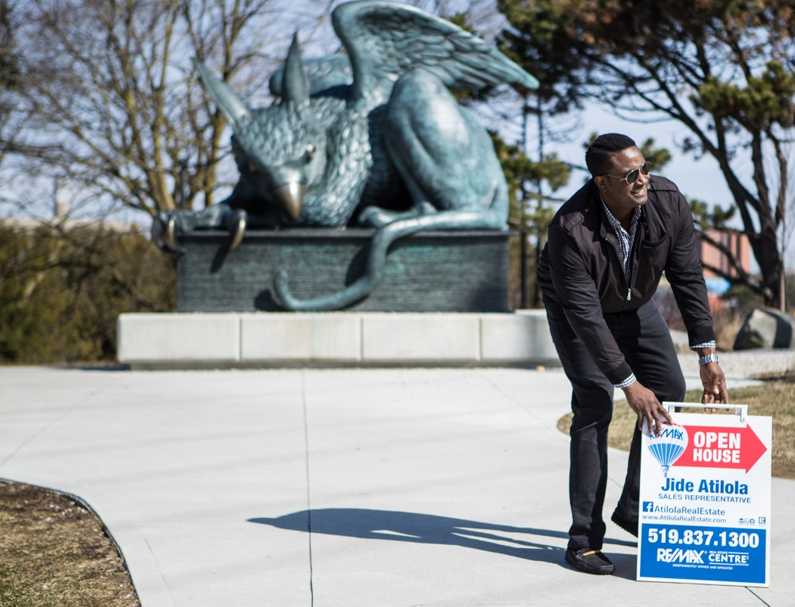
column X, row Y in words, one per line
column 352, row 136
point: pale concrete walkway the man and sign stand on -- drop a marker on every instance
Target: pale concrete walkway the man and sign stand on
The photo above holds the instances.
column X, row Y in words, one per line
column 336, row 488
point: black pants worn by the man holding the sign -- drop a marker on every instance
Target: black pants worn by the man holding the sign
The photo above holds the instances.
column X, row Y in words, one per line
column 645, row 340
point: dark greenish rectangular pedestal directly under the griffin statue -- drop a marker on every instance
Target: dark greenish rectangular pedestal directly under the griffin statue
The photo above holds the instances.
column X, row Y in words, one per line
column 427, row 272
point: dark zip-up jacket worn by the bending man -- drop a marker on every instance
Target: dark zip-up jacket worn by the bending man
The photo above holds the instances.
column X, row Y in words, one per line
column 581, row 270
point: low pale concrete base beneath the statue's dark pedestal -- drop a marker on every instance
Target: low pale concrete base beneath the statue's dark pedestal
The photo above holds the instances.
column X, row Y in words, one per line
column 335, row 339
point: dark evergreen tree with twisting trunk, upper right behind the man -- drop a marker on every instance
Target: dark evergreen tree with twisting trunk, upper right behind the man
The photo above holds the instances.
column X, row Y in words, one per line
column 723, row 68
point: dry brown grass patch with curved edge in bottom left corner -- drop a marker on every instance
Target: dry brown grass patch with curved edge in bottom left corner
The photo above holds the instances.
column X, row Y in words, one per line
column 54, row 553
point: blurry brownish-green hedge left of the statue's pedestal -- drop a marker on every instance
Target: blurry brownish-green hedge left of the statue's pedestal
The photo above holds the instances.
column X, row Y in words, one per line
column 63, row 290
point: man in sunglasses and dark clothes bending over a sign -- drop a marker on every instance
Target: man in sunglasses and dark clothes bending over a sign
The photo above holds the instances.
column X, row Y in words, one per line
column 607, row 248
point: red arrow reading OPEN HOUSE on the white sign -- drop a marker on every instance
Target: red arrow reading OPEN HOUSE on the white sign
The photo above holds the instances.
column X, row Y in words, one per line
column 715, row 447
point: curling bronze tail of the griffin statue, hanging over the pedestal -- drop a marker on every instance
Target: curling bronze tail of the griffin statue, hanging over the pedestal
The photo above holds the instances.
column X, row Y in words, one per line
column 493, row 218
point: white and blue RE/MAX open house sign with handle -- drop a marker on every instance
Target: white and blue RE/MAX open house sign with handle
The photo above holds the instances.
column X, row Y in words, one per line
column 705, row 493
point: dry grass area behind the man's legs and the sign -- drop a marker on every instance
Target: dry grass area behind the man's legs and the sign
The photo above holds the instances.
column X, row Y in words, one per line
column 774, row 398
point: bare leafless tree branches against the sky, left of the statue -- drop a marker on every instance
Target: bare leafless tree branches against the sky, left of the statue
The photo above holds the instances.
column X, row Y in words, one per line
column 110, row 102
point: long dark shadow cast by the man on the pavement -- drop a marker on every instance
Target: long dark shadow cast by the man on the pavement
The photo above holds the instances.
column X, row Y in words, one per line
column 427, row 529
